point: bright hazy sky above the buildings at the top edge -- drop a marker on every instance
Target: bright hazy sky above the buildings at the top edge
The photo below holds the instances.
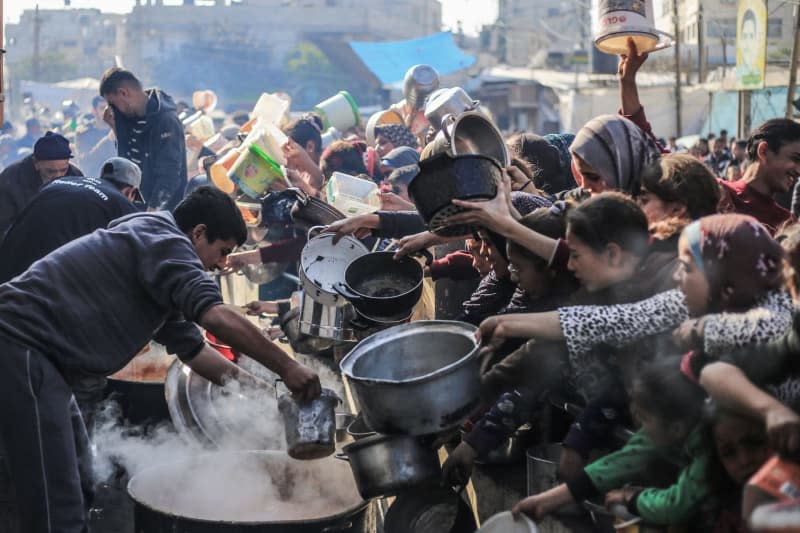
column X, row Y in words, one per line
column 472, row 13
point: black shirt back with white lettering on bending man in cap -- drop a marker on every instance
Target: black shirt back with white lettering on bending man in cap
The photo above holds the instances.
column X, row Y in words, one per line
column 64, row 210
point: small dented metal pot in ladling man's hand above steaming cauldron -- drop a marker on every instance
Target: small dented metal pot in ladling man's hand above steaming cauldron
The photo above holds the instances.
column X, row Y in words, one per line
column 310, row 426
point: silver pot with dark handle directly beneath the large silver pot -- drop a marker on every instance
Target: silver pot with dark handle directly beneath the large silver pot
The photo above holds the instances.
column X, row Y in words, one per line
column 384, row 465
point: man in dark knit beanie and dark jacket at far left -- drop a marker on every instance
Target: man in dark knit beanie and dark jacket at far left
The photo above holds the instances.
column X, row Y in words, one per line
column 20, row 181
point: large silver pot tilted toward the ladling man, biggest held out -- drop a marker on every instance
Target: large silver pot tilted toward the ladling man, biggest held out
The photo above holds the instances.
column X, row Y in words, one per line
column 416, row 379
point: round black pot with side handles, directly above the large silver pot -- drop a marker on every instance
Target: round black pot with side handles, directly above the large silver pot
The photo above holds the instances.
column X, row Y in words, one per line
column 380, row 286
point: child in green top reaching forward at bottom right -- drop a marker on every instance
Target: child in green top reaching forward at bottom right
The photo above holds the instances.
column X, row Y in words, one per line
column 669, row 407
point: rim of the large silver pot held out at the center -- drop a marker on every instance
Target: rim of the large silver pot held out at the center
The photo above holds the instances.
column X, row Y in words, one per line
column 468, row 330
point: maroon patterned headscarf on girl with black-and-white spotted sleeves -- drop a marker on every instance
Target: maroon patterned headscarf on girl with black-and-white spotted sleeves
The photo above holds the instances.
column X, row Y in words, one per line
column 738, row 257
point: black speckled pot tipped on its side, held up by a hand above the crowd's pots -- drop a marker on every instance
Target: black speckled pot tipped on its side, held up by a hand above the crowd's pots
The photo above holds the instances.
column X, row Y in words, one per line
column 442, row 178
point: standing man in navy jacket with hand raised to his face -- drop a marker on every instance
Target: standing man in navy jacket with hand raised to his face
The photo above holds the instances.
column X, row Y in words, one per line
column 150, row 134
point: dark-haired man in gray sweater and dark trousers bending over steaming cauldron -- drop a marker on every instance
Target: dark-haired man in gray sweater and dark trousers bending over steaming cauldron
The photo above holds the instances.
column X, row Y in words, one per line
column 88, row 308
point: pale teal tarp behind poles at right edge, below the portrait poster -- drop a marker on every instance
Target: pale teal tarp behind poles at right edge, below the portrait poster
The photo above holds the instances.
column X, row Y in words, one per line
column 764, row 105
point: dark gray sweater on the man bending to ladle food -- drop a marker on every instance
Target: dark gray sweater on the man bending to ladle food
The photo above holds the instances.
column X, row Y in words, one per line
column 92, row 304
